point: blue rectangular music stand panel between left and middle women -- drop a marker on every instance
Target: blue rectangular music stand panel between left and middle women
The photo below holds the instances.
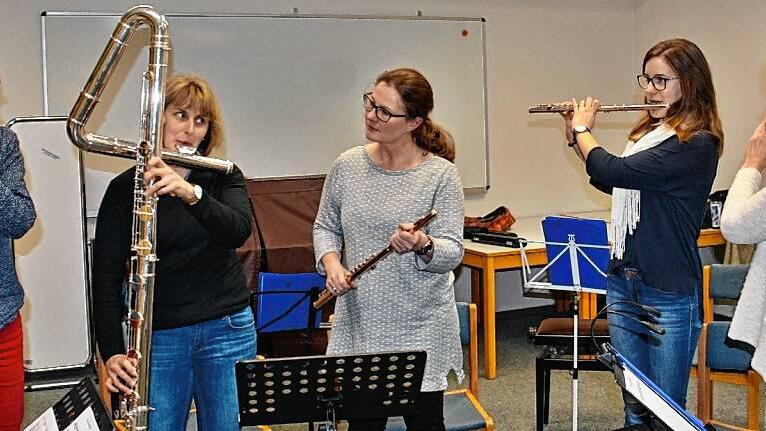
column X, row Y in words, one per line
column 284, row 302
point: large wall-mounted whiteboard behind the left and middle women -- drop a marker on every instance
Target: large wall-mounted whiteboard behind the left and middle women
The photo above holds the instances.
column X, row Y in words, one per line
column 290, row 86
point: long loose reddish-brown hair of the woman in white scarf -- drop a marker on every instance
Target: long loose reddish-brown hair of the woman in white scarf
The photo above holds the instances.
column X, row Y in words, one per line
column 696, row 110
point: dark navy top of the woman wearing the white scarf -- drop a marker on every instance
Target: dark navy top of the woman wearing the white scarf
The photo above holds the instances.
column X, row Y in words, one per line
column 674, row 178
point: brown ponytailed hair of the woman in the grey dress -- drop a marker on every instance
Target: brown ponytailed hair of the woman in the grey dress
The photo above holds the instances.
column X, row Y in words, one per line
column 418, row 99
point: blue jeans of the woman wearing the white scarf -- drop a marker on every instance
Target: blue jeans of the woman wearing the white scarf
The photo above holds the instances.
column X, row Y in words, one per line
column 664, row 359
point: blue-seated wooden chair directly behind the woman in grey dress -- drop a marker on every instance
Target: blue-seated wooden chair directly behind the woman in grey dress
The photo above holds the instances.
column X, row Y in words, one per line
column 462, row 410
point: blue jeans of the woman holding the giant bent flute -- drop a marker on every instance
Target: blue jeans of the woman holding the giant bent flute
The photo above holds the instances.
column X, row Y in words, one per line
column 197, row 361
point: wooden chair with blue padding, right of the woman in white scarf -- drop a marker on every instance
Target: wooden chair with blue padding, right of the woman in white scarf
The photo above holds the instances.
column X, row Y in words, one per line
column 717, row 361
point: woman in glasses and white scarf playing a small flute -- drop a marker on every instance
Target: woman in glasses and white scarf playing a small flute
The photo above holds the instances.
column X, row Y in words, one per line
column 659, row 187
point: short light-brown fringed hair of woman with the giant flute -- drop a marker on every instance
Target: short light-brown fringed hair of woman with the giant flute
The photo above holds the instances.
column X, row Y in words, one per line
column 190, row 91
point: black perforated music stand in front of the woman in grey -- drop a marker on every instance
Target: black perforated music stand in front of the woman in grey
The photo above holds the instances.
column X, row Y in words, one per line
column 327, row 388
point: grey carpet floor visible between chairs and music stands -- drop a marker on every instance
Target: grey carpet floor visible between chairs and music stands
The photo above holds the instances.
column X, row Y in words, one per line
column 510, row 398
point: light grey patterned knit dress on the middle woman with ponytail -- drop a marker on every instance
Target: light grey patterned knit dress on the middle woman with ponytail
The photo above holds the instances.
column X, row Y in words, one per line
column 404, row 303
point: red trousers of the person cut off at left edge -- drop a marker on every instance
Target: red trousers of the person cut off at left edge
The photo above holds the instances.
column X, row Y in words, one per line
column 11, row 376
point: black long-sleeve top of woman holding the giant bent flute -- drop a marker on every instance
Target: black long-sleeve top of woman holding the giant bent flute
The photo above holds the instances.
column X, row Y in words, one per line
column 198, row 275
